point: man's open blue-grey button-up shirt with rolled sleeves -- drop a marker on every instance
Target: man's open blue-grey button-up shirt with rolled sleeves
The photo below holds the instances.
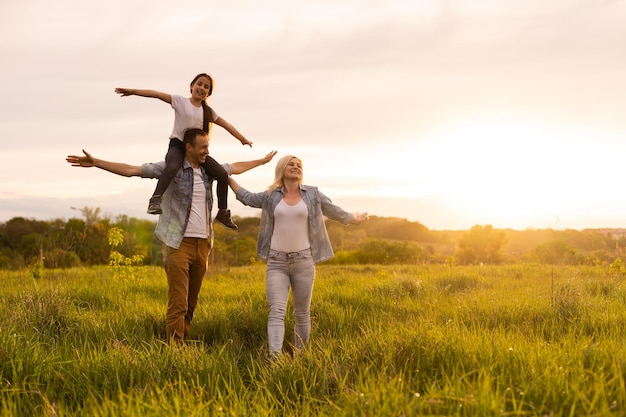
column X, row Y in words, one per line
column 176, row 202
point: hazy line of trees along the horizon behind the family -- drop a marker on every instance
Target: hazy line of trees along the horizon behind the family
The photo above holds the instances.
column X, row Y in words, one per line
column 61, row 243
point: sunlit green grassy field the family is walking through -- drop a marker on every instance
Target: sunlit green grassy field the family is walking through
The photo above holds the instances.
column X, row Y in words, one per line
column 519, row 340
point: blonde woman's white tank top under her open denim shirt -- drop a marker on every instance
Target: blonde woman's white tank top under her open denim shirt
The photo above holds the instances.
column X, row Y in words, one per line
column 291, row 227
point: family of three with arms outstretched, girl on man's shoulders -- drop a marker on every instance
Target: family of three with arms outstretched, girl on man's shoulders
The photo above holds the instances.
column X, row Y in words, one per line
column 292, row 235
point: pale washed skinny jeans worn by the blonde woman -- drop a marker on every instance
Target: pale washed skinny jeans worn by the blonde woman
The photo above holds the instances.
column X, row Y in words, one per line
column 295, row 269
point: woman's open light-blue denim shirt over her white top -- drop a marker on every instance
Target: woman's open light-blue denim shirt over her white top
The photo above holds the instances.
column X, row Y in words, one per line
column 318, row 206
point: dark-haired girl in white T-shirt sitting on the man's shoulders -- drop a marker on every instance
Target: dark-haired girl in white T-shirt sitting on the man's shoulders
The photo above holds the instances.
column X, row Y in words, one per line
column 192, row 112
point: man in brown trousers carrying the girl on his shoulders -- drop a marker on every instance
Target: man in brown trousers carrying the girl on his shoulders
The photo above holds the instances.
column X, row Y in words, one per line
column 185, row 226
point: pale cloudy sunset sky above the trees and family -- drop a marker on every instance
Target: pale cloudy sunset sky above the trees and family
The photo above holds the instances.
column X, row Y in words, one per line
column 449, row 113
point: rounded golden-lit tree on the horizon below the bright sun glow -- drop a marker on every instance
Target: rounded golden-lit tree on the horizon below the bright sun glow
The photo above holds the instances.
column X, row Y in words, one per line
column 482, row 244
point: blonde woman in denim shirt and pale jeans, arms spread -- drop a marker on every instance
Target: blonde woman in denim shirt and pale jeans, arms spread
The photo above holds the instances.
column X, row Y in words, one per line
column 292, row 239
